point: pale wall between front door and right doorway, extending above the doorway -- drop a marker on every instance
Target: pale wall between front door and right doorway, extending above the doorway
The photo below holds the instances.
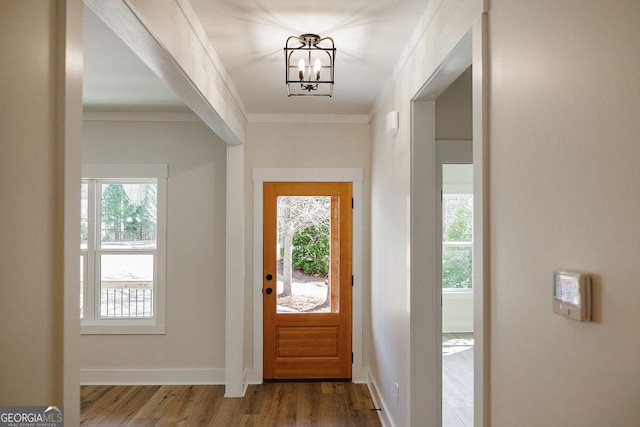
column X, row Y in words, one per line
column 444, row 24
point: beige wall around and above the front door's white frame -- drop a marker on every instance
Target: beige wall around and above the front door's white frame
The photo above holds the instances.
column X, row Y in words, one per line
column 303, row 145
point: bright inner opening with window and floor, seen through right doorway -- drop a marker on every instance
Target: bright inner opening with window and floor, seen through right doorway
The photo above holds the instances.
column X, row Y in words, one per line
column 457, row 284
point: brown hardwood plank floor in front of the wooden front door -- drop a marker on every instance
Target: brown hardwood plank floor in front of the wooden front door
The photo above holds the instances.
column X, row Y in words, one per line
column 269, row 404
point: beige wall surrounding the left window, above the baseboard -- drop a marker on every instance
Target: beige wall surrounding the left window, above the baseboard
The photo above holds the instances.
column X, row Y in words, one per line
column 195, row 315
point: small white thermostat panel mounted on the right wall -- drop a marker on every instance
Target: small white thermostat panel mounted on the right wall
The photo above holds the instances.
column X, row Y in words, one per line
column 572, row 294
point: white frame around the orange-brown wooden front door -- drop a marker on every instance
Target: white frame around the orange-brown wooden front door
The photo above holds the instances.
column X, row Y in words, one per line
column 262, row 175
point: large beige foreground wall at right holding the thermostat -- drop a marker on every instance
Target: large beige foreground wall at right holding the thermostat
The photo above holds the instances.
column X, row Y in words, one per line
column 564, row 193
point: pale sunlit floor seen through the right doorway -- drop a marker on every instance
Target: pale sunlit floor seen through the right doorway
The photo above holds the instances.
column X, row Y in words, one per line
column 457, row 380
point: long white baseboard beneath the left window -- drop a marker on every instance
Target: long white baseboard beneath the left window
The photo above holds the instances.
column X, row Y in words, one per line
column 204, row 376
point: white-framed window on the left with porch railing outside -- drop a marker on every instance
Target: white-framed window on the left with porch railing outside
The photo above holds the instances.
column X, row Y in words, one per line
column 122, row 249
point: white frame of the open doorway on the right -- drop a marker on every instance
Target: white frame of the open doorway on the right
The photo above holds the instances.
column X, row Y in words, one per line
column 426, row 310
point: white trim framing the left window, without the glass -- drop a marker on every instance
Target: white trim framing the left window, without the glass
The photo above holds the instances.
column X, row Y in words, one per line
column 155, row 325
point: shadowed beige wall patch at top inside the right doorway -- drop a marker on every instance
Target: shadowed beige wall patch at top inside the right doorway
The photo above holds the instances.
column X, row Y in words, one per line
column 453, row 110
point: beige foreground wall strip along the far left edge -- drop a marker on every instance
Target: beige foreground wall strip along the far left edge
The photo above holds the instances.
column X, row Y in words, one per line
column 31, row 281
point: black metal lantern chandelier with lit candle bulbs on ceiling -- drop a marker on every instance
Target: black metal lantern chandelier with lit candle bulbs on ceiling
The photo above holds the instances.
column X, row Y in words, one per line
column 309, row 62
